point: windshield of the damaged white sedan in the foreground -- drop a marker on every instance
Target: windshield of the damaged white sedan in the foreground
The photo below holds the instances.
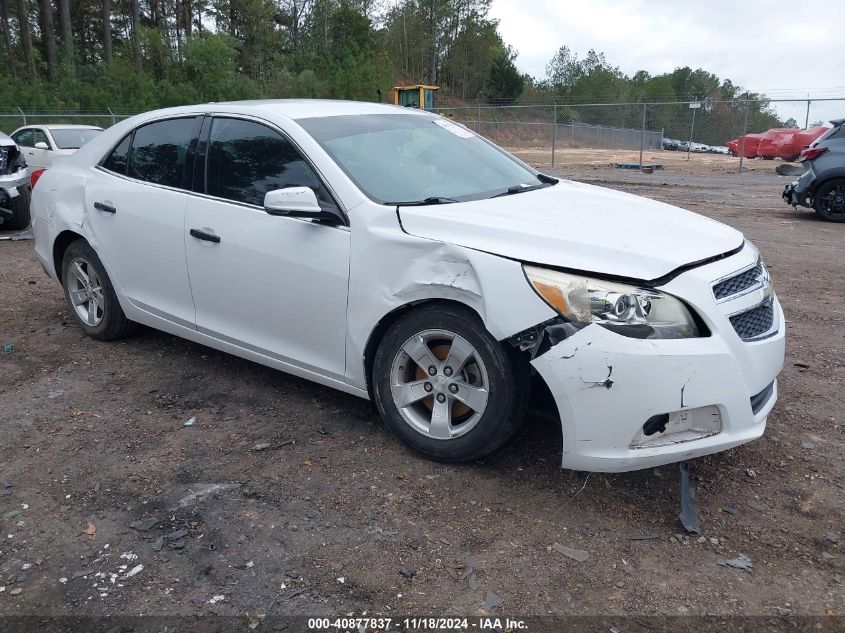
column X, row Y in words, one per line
column 402, row 158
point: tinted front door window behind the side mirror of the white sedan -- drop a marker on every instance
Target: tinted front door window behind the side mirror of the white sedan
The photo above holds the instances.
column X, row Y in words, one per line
column 246, row 160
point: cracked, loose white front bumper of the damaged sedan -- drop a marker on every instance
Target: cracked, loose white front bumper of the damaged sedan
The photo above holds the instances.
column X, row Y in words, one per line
column 606, row 386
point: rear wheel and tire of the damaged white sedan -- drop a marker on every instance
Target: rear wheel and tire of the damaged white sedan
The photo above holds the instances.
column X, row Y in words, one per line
column 106, row 320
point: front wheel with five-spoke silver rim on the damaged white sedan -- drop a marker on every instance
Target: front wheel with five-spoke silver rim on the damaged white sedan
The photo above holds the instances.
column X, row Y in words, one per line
column 470, row 432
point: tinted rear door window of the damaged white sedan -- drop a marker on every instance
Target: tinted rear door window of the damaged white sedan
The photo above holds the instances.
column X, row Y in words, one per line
column 159, row 151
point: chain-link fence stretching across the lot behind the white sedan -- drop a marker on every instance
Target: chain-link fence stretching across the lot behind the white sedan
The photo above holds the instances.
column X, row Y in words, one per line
column 692, row 136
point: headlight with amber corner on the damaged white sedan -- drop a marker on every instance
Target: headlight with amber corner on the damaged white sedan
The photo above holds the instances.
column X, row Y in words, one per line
column 624, row 309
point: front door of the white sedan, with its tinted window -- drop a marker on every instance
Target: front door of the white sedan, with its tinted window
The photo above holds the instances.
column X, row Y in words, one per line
column 276, row 285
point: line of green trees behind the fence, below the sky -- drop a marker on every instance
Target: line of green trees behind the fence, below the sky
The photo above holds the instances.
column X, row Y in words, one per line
column 142, row 54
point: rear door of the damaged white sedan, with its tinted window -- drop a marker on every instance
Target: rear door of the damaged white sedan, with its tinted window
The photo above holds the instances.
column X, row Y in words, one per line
column 135, row 212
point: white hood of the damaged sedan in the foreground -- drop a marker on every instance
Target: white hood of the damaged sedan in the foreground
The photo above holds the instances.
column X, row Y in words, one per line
column 580, row 227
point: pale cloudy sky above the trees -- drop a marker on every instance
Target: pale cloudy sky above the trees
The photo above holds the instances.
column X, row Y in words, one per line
column 766, row 46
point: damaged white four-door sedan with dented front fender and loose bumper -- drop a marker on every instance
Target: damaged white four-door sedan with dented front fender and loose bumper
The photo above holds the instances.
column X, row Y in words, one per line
column 396, row 255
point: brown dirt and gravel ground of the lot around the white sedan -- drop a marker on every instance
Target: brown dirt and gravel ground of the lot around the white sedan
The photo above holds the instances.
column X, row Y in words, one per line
column 317, row 509
